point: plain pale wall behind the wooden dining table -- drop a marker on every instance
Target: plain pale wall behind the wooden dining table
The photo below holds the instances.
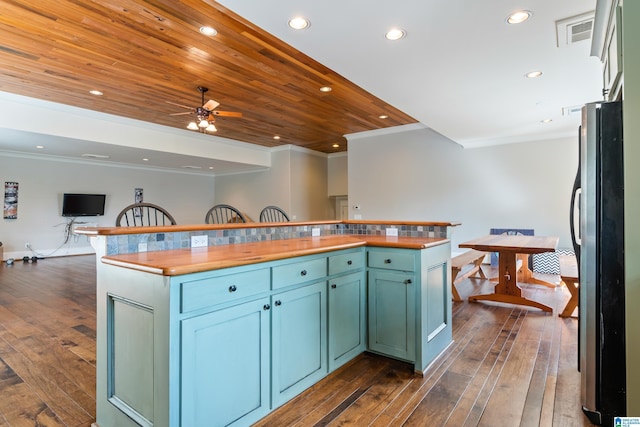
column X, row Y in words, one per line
column 421, row 175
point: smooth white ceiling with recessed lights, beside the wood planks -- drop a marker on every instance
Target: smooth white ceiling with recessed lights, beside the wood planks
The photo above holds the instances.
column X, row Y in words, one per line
column 460, row 69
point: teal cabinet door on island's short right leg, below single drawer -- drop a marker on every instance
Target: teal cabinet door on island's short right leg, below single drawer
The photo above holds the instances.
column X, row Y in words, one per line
column 392, row 313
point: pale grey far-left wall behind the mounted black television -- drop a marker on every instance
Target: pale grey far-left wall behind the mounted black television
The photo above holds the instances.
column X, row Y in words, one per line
column 42, row 181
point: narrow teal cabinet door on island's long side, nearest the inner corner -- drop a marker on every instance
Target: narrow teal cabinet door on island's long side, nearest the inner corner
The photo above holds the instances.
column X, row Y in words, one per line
column 346, row 319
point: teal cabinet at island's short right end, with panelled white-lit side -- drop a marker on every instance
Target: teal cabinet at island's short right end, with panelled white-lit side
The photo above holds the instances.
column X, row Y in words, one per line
column 409, row 303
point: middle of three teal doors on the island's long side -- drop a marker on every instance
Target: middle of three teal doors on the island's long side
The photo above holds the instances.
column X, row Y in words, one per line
column 299, row 345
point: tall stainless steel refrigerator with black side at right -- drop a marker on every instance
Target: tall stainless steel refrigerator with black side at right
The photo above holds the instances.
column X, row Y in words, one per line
column 597, row 229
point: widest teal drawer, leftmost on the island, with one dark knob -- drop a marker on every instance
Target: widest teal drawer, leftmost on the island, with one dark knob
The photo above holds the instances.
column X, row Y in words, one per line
column 220, row 289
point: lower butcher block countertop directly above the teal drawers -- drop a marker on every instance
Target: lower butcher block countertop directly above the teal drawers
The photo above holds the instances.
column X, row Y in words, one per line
column 193, row 260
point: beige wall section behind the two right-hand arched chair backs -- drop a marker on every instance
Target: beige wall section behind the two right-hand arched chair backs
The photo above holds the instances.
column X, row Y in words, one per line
column 296, row 181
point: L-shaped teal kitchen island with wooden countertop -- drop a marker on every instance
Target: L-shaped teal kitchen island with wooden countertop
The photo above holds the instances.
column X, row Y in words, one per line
column 226, row 333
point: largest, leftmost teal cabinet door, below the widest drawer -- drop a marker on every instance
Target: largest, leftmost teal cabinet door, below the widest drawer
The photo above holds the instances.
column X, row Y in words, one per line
column 225, row 366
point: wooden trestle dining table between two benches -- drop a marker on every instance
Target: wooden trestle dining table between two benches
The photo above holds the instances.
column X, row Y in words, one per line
column 508, row 246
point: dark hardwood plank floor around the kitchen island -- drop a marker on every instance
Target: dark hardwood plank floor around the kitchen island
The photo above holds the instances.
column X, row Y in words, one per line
column 507, row 366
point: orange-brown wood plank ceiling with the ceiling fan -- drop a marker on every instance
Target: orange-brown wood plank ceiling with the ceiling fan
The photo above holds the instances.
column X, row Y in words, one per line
column 148, row 56
